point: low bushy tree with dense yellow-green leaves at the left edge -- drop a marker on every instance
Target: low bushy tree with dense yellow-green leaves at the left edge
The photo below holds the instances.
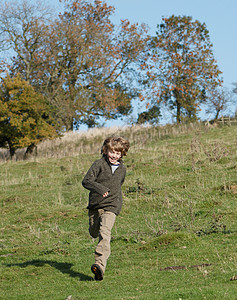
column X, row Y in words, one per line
column 24, row 115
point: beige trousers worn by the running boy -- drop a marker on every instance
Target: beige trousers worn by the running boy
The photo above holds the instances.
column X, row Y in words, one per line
column 101, row 223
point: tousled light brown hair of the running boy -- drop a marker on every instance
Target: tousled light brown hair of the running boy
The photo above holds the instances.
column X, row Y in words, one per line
column 115, row 144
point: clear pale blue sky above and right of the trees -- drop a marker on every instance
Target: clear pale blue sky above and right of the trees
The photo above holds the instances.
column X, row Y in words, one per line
column 220, row 17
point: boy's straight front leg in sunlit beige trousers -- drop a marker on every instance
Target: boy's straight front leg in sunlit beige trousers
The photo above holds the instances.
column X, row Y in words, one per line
column 102, row 251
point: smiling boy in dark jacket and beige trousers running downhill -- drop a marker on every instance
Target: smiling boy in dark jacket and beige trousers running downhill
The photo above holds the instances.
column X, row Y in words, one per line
column 104, row 180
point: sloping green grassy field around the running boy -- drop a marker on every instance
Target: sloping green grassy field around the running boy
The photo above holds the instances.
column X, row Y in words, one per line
column 176, row 237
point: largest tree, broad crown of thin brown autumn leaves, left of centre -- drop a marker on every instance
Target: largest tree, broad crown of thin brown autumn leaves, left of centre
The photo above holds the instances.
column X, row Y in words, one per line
column 85, row 66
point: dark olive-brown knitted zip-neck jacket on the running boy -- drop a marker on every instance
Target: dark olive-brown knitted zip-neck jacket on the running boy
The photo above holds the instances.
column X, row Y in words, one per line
column 99, row 179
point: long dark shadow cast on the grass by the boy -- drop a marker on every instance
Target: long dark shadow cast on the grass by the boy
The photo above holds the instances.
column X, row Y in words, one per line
column 64, row 268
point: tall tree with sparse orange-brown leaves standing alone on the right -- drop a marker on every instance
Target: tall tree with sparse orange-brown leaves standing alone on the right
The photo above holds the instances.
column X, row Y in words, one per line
column 185, row 65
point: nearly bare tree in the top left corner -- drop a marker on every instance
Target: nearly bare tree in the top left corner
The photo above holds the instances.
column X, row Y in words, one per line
column 23, row 27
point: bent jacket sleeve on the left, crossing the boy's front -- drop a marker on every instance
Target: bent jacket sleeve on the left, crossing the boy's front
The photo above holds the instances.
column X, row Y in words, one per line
column 89, row 181
